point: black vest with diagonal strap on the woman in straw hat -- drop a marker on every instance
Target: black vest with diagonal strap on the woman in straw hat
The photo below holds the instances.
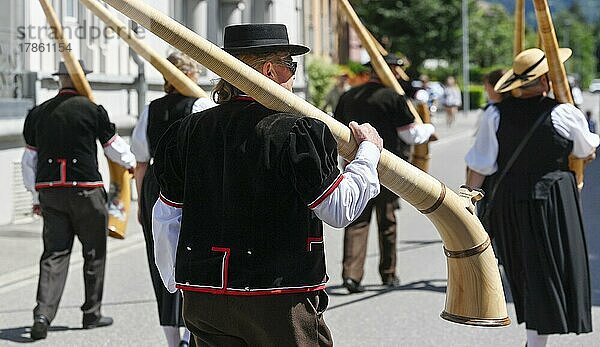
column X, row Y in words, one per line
column 546, row 150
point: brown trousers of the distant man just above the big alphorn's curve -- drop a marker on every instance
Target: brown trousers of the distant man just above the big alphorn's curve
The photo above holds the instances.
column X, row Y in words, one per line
column 356, row 236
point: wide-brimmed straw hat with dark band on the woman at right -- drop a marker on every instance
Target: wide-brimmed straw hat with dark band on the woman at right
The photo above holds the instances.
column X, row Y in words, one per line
column 527, row 66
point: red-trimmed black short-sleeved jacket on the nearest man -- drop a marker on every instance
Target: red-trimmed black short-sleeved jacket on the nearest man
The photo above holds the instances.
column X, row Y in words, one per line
column 245, row 177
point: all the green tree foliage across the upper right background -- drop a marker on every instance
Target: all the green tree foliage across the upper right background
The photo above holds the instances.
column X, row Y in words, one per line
column 431, row 29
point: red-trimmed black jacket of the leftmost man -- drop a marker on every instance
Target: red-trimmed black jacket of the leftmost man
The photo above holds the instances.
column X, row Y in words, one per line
column 63, row 131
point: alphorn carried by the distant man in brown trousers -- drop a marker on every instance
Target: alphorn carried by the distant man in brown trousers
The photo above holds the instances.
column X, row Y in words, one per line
column 420, row 157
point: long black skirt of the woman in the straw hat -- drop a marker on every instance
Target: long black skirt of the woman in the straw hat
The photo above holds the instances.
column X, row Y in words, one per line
column 539, row 239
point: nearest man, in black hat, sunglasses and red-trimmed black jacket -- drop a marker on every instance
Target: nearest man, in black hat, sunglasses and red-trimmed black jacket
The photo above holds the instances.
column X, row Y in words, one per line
column 244, row 191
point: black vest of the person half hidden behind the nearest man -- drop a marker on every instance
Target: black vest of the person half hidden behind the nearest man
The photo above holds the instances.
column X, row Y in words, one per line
column 163, row 112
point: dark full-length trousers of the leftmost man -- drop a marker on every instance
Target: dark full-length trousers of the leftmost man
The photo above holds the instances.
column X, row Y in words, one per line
column 68, row 212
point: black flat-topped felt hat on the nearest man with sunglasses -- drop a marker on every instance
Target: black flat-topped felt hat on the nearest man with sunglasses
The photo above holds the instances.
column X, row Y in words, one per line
column 259, row 38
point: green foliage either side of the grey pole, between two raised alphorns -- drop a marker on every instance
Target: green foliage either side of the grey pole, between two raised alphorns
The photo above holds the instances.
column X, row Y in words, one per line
column 433, row 29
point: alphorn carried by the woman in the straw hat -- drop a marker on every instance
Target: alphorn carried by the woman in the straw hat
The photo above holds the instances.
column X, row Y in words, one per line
column 557, row 72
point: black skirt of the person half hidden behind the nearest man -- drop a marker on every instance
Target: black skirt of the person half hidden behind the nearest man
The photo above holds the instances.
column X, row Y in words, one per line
column 169, row 305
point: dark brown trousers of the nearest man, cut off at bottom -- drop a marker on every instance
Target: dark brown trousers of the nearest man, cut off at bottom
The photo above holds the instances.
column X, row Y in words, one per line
column 268, row 320
